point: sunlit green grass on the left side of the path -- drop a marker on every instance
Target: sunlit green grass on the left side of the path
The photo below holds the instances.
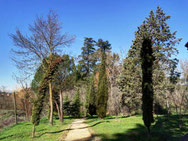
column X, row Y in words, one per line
column 44, row 132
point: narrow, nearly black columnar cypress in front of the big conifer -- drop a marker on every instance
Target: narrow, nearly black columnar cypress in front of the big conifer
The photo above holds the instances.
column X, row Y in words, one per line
column 147, row 84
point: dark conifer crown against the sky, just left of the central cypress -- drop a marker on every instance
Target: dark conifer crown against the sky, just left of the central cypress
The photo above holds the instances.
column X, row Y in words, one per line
column 88, row 59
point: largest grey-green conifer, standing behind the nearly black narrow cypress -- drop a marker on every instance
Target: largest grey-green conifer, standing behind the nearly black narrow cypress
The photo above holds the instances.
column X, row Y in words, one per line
column 163, row 44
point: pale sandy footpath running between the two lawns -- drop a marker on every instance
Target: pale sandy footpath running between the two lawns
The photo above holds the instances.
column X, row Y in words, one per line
column 79, row 131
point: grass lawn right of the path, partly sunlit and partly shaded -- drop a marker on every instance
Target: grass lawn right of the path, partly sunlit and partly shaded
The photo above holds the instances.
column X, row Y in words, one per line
column 132, row 128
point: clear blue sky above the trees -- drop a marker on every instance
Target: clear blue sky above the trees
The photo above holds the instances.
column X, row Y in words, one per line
column 113, row 20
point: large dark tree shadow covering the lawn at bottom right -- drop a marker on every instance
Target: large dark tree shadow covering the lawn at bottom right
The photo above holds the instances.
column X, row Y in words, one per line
column 165, row 129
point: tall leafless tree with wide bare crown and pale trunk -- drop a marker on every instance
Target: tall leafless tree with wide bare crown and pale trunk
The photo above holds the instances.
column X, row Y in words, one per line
column 45, row 39
